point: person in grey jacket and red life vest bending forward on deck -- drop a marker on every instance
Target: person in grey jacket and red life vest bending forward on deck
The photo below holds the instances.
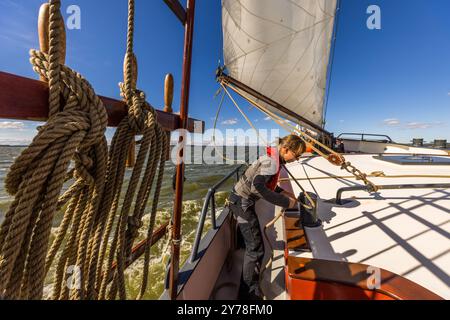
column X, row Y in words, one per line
column 260, row 181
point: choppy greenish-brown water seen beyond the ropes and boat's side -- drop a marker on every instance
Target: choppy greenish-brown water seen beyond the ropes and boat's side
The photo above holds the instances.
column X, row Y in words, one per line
column 199, row 178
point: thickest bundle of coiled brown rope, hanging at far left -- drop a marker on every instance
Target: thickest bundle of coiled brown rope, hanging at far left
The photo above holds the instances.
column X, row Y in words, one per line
column 74, row 132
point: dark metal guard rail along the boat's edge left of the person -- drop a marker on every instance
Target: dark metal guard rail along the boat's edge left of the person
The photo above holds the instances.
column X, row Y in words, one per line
column 210, row 200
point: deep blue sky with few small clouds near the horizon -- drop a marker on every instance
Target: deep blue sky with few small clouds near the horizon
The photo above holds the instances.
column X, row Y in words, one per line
column 394, row 81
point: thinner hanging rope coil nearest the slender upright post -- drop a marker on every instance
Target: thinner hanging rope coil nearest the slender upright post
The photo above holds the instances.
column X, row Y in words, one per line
column 153, row 150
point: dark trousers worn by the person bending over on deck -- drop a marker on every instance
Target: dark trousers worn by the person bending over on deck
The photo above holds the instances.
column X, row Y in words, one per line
column 248, row 225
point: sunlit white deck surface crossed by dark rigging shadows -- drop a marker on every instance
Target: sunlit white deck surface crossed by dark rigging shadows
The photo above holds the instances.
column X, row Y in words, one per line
column 404, row 231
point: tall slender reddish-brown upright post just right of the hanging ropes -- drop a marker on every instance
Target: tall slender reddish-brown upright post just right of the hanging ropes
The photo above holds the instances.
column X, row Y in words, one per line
column 179, row 179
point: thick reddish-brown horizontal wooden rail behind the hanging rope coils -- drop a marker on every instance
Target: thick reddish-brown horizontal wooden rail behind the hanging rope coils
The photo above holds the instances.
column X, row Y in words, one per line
column 27, row 99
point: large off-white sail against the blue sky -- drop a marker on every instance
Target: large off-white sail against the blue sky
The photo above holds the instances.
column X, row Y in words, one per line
column 281, row 49
